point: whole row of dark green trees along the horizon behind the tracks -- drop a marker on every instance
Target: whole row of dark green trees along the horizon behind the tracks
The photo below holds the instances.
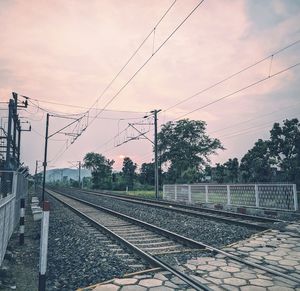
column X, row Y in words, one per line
column 185, row 149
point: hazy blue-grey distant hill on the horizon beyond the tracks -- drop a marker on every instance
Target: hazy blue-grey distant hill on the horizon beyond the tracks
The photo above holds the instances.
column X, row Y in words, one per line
column 59, row 174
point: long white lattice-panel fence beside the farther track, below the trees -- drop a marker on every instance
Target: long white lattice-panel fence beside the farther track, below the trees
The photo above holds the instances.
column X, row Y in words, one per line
column 273, row 196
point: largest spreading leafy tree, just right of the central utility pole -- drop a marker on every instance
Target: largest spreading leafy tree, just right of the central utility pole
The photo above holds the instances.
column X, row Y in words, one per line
column 185, row 145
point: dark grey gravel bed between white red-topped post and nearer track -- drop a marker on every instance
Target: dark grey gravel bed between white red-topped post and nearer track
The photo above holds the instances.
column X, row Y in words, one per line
column 77, row 258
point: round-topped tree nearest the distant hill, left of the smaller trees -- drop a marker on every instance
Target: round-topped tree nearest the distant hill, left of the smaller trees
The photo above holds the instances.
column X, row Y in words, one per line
column 101, row 169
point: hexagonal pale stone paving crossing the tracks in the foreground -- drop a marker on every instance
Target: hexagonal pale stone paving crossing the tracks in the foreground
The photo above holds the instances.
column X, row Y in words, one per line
column 277, row 250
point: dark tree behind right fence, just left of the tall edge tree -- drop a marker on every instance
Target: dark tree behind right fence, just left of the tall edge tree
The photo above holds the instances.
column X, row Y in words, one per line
column 256, row 165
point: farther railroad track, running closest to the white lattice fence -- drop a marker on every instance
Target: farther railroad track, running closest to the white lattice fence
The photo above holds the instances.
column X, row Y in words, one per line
column 253, row 221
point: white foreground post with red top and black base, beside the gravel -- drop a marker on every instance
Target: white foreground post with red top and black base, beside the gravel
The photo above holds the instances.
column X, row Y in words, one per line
column 44, row 246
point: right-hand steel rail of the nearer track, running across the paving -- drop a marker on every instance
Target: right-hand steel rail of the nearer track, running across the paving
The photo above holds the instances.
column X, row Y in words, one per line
column 189, row 241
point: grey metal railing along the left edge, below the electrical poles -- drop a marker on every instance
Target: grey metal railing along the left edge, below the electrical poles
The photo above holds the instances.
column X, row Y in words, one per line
column 13, row 187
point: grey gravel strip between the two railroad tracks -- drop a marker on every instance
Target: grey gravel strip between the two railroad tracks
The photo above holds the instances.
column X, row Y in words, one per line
column 207, row 231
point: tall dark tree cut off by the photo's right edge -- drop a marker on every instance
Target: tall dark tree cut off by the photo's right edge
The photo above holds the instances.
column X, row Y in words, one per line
column 285, row 148
